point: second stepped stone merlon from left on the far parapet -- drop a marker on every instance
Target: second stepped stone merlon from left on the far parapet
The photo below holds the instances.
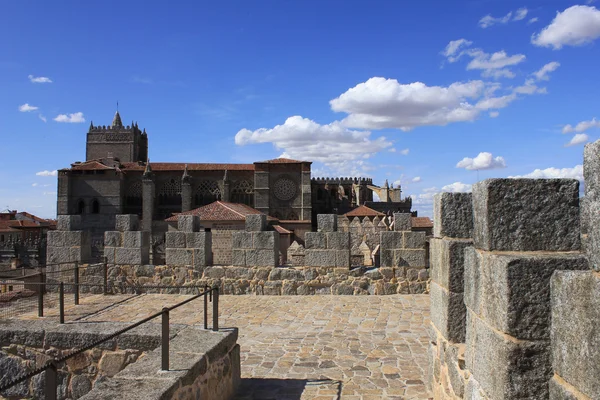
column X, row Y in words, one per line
column 127, row 245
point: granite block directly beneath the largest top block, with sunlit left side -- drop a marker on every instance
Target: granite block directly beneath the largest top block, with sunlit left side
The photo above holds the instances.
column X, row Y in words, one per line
column 514, row 290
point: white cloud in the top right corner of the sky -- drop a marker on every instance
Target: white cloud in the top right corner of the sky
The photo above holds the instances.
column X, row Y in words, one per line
column 575, row 26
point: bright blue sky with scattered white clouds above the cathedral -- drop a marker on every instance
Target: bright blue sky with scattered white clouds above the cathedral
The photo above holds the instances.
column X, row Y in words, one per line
column 433, row 95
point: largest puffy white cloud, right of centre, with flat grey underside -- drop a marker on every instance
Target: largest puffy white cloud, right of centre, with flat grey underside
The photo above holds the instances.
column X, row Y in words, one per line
column 381, row 103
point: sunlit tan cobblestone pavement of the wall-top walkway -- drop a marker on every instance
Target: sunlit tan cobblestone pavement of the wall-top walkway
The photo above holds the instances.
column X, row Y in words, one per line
column 314, row 347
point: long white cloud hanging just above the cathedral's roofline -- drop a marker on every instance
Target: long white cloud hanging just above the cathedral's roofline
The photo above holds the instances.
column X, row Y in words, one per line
column 336, row 146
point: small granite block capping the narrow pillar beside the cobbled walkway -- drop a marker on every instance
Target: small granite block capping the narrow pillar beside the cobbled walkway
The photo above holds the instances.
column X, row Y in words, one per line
column 453, row 215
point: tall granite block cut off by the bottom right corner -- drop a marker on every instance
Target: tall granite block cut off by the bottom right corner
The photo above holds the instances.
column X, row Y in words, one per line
column 575, row 334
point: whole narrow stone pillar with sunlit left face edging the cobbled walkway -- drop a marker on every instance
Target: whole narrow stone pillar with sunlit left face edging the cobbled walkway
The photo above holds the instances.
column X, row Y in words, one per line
column 453, row 234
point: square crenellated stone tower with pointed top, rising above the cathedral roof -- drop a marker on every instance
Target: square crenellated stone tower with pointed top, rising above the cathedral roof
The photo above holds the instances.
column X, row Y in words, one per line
column 124, row 143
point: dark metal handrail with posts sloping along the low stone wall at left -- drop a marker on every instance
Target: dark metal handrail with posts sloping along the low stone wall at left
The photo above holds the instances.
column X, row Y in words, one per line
column 51, row 367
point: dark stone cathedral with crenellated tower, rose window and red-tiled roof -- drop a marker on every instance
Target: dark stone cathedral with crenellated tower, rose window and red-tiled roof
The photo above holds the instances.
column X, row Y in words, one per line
column 117, row 178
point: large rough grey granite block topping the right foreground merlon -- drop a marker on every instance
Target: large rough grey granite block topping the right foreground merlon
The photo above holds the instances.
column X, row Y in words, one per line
column 526, row 215
